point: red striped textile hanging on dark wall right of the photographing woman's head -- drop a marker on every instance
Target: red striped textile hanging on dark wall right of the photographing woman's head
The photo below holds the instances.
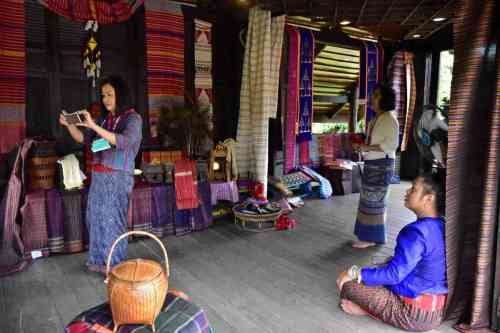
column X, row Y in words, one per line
column 164, row 58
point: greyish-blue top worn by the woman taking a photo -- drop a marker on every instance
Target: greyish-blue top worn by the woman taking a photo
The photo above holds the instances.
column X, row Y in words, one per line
column 128, row 133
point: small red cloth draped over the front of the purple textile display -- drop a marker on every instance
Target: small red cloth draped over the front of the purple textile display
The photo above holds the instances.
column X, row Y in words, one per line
column 186, row 193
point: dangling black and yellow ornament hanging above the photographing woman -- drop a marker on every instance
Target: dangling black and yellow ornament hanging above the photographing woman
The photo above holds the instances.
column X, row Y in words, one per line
column 92, row 52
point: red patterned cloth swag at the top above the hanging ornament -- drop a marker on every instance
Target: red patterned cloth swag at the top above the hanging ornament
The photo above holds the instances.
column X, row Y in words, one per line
column 104, row 12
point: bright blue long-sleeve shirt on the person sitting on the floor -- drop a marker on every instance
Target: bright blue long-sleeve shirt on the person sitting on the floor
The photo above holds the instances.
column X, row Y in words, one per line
column 419, row 262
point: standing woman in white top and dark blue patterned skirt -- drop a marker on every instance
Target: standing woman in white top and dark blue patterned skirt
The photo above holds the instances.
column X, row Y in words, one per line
column 379, row 152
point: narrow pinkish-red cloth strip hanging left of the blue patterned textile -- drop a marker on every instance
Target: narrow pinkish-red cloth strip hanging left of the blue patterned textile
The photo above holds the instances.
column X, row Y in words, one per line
column 293, row 97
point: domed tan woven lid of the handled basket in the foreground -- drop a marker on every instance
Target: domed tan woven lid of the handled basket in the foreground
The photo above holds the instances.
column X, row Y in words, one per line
column 137, row 270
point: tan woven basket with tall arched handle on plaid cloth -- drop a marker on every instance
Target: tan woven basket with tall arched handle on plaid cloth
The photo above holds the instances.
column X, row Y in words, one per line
column 137, row 287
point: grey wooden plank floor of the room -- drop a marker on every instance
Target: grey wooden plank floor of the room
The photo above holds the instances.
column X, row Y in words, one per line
column 277, row 281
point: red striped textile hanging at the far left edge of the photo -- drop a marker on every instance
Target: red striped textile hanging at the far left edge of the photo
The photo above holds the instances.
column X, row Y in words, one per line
column 12, row 75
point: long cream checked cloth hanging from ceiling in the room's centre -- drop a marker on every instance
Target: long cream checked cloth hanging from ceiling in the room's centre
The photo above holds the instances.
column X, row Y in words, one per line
column 259, row 92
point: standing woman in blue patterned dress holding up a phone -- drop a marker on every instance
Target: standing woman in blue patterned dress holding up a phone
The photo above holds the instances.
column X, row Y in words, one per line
column 114, row 139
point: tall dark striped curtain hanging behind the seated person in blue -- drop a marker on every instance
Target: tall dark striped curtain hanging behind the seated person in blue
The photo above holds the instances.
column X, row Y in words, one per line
column 472, row 165
